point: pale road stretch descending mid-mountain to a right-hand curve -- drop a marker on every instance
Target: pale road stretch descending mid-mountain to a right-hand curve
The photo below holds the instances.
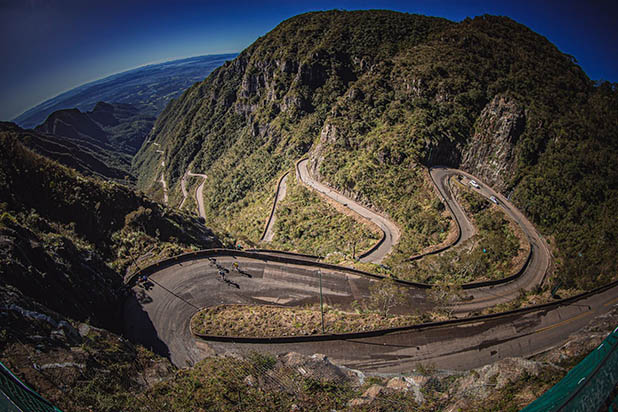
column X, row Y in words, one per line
column 389, row 229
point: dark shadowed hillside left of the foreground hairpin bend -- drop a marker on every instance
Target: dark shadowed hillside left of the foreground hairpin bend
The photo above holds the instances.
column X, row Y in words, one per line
column 67, row 240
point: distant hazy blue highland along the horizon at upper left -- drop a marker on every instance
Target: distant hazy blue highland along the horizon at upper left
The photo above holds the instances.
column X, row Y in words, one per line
column 151, row 86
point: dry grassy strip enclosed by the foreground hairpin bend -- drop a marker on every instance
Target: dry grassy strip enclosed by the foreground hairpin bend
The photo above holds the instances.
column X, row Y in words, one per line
column 271, row 321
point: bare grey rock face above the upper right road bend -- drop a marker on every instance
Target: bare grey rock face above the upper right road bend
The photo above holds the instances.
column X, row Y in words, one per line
column 490, row 152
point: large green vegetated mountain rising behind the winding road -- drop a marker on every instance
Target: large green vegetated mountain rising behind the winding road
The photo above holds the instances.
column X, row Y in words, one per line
column 373, row 97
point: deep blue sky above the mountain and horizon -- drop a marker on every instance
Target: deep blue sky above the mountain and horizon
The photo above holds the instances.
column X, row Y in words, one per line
column 49, row 46
